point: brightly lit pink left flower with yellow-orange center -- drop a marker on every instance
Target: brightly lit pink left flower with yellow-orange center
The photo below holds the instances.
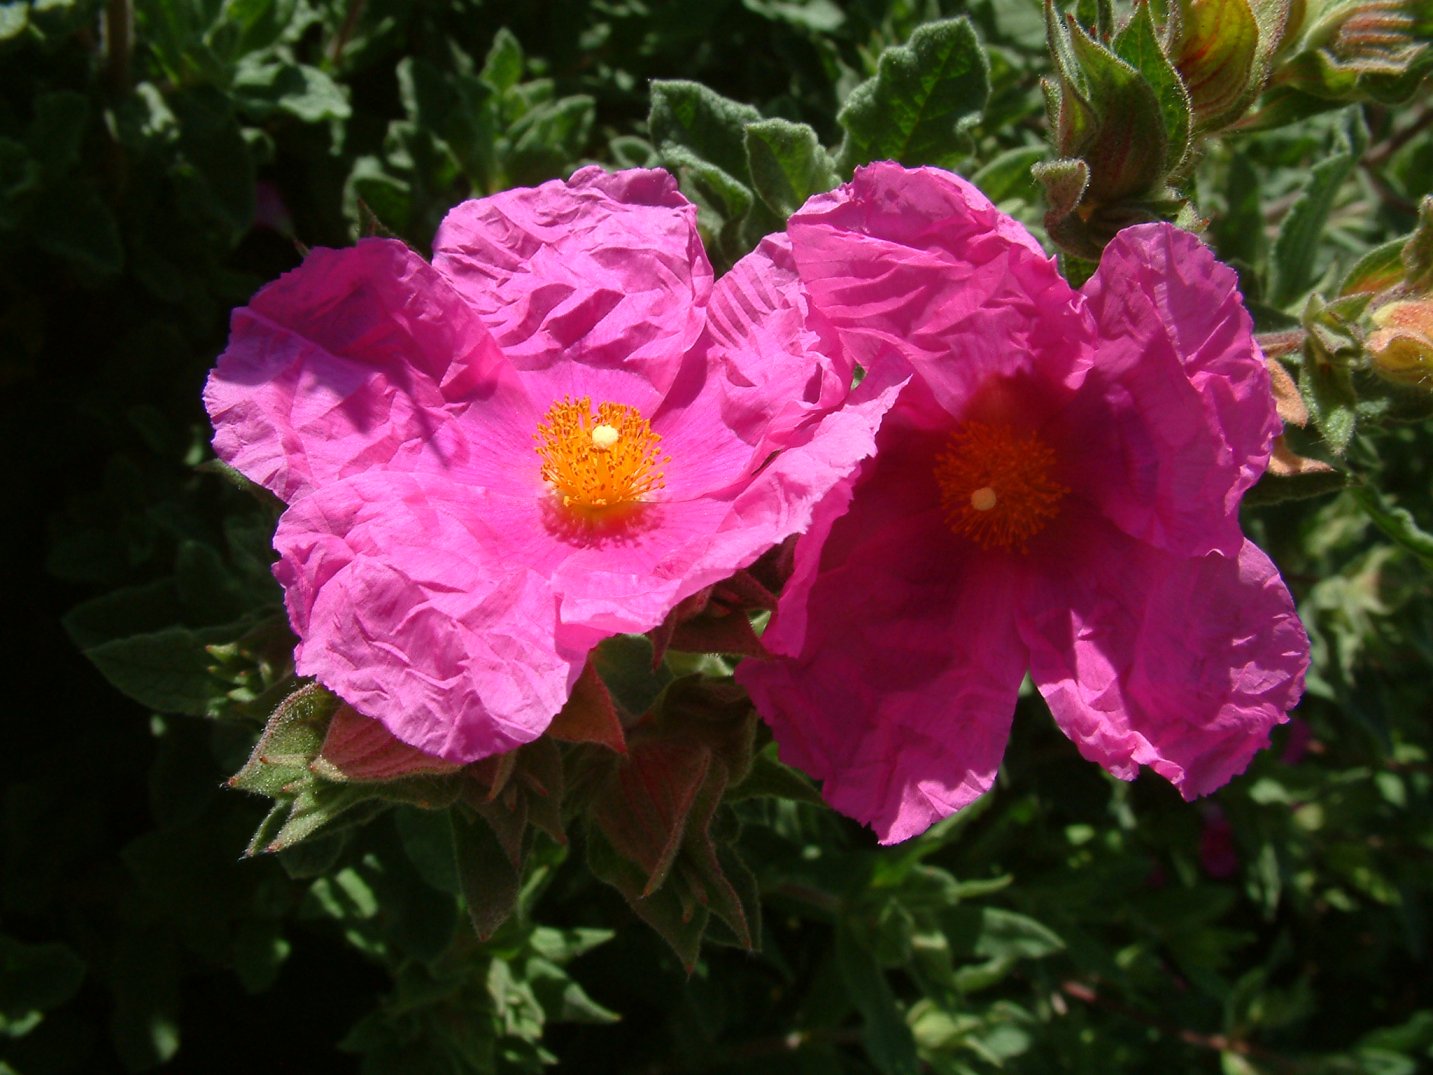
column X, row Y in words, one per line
column 554, row 434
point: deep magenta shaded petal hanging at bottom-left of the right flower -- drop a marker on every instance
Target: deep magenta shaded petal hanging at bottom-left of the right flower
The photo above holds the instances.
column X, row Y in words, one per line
column 898, row 674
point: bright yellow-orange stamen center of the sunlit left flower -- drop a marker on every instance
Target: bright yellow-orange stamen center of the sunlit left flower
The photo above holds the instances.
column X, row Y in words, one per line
column 603, row 459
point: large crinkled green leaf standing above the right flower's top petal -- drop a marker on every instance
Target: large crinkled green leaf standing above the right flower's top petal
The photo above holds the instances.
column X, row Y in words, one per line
column 924, row 95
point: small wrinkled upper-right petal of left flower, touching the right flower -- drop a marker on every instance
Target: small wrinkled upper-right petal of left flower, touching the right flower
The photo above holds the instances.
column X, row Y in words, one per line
column 782, row 365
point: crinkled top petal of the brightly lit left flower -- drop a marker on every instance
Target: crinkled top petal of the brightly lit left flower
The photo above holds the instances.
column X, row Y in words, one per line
column 598, row 285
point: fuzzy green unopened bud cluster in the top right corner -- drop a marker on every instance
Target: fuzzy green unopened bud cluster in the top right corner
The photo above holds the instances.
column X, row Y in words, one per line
column 1130, row 104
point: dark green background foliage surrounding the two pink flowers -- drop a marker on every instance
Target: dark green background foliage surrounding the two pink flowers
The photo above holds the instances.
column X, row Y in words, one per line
column 161, row 161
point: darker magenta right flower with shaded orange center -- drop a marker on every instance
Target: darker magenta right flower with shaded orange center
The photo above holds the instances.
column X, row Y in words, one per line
column 1055, row 492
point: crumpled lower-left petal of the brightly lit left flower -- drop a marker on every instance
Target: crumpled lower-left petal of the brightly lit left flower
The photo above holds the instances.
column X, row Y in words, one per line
column 406, row 613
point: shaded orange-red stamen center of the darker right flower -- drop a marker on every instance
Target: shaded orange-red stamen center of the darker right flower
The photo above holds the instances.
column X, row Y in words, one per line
column 995, row 485
